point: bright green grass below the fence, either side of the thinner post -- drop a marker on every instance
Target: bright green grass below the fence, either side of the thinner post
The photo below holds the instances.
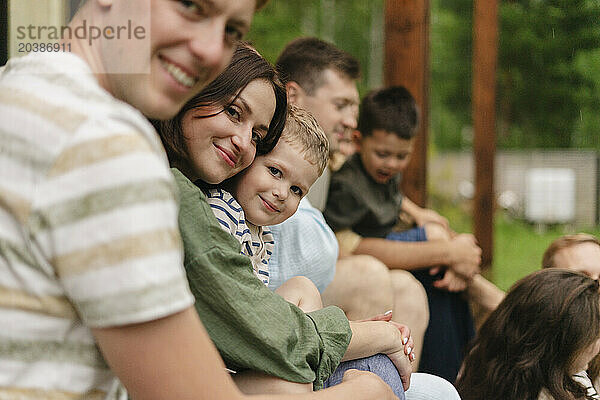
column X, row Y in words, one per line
column 518, row 245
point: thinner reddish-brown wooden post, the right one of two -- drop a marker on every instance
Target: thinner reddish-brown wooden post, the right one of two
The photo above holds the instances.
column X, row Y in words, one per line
column 485, row 51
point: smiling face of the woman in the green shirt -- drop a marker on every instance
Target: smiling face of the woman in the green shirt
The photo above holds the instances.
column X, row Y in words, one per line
column 221, row 145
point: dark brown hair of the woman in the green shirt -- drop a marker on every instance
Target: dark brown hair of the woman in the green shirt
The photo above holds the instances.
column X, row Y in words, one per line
column 246, row 66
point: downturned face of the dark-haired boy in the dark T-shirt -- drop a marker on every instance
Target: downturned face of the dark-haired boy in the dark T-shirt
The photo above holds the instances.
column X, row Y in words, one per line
column 384, row 154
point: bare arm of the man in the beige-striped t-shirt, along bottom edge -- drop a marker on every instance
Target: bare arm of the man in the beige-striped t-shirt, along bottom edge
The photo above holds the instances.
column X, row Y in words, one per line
column 173, row 358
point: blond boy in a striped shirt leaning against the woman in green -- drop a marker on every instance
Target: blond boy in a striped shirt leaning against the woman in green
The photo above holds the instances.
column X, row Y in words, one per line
column 268, row 193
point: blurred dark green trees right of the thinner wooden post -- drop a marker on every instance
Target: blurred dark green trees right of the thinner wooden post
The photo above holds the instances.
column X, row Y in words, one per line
column 540, row 86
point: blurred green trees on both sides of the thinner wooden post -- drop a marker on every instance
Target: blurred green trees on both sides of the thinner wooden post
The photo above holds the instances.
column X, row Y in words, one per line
column 548, row 73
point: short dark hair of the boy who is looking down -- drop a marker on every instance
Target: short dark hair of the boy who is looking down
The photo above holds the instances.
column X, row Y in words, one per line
column 391, row 109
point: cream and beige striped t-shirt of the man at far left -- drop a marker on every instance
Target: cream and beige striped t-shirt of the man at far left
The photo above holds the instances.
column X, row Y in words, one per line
column 88, row 228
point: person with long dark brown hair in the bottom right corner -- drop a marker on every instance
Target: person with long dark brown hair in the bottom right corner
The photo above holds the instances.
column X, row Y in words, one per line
column 538, row 342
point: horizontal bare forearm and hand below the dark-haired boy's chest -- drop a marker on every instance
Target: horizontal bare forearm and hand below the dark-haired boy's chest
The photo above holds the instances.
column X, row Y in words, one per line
column 460, row 253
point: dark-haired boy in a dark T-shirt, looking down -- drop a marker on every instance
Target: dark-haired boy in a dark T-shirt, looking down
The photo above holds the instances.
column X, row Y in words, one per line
column 364, row 206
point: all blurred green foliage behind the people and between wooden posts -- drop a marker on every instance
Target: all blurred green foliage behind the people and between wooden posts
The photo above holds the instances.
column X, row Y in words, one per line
column 548, row 71
